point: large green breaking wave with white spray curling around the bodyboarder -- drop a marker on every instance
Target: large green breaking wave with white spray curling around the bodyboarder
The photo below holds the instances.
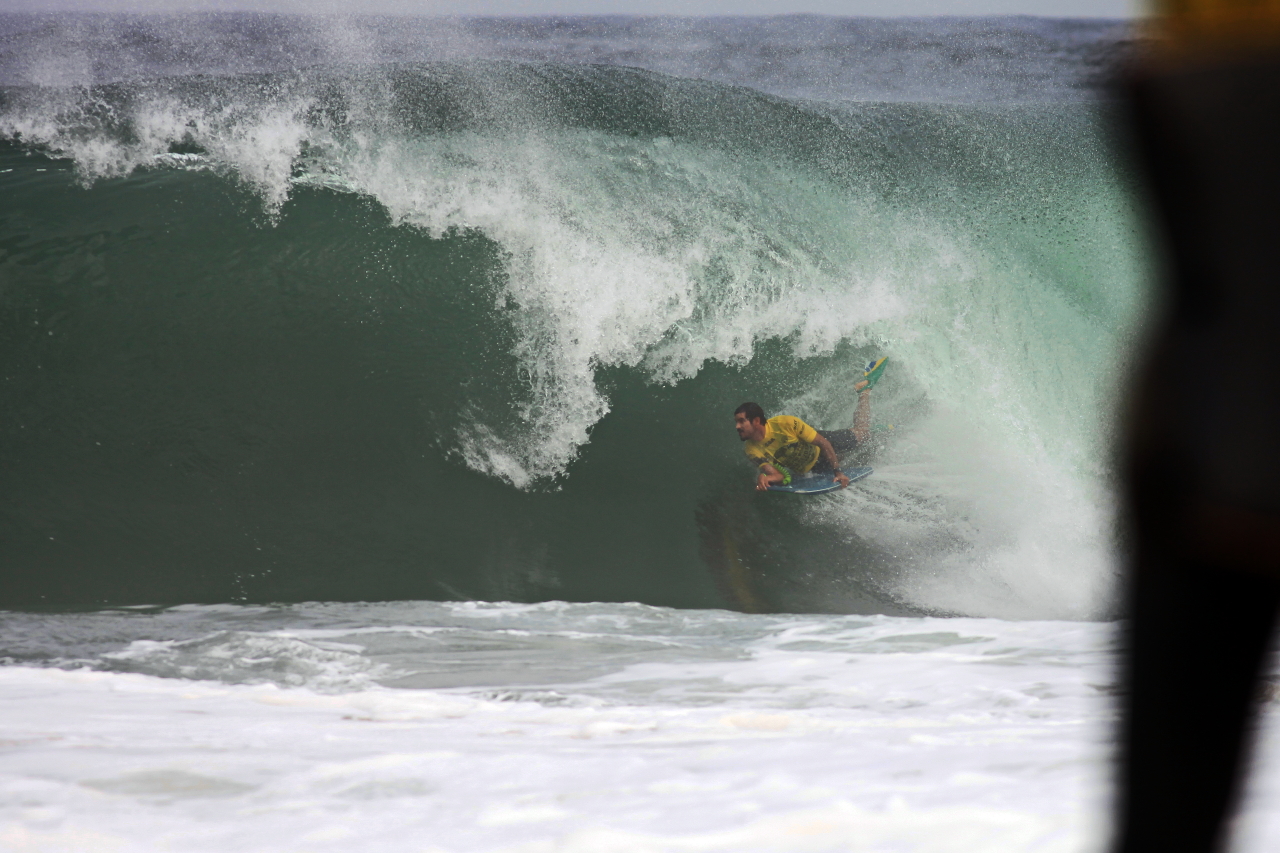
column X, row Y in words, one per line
column 474, row 329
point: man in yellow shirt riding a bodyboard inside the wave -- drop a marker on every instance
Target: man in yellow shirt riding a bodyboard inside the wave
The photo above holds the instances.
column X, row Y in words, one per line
column 785, row 446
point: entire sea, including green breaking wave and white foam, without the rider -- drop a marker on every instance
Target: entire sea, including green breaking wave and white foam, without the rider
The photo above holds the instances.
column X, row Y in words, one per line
column 369, row 473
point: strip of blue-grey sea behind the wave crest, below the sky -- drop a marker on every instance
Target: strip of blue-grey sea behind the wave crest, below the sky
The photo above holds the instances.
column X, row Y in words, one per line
column 998, row 60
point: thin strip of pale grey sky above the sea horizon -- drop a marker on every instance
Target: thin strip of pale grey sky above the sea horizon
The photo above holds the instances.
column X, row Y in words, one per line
column 892, row 8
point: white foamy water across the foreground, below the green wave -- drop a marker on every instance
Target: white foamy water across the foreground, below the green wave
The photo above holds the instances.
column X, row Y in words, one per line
column 820, row 735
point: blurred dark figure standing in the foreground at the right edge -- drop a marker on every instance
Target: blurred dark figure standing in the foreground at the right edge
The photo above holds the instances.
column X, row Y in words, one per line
column 1203, row 449
